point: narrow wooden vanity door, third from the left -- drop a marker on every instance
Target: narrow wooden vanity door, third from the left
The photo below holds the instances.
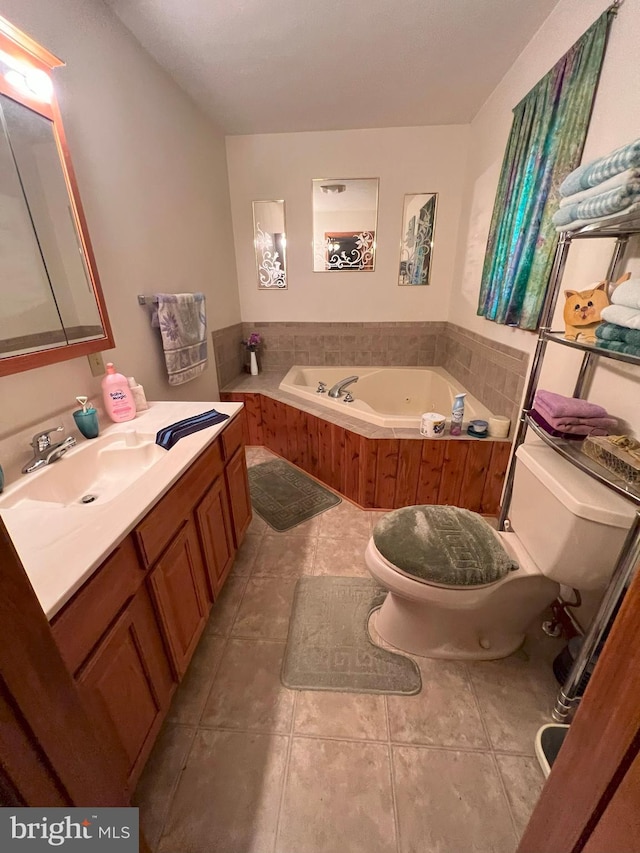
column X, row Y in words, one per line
column 213, row 518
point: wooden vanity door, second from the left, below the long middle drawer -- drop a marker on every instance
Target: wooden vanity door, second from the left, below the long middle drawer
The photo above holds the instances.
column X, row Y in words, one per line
column 179, row 592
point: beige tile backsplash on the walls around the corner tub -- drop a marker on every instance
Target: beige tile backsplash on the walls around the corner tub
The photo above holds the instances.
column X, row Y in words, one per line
column 492, row 372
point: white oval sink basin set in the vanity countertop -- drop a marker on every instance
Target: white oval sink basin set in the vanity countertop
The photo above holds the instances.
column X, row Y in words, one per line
column 94, row 472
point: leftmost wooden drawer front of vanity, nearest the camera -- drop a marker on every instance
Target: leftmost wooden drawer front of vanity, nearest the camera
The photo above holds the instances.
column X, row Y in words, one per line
column 79, row 626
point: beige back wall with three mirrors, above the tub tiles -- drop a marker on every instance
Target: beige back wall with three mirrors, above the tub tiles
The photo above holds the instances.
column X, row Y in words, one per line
column 407, row 160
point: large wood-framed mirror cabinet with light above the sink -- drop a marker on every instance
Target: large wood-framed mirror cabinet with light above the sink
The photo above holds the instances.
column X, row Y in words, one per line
column 51, row 304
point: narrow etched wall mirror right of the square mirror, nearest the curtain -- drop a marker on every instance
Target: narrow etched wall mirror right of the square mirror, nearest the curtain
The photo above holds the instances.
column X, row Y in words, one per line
column 416, row 241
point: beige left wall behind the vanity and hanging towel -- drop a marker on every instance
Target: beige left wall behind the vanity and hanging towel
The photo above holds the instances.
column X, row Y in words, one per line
column 153, row 181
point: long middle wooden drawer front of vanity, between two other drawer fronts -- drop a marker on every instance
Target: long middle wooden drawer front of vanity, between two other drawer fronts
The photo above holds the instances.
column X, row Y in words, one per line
column 160, row 526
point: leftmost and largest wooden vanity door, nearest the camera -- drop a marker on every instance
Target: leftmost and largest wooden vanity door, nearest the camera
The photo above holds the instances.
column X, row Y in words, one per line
column 128, row 684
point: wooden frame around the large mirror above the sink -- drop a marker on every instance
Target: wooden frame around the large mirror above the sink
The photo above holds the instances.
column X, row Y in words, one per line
column 21, row 51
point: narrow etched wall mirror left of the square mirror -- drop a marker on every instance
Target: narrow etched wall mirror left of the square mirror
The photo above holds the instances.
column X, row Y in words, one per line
column 270, row 243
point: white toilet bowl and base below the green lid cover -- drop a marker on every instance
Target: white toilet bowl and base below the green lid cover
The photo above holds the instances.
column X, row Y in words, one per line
column 481, row 623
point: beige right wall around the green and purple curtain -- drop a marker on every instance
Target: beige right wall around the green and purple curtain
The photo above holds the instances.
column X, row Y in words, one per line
column 614, row 122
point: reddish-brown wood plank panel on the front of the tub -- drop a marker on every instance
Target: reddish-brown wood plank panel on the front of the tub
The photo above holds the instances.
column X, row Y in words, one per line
column 380, row 473
